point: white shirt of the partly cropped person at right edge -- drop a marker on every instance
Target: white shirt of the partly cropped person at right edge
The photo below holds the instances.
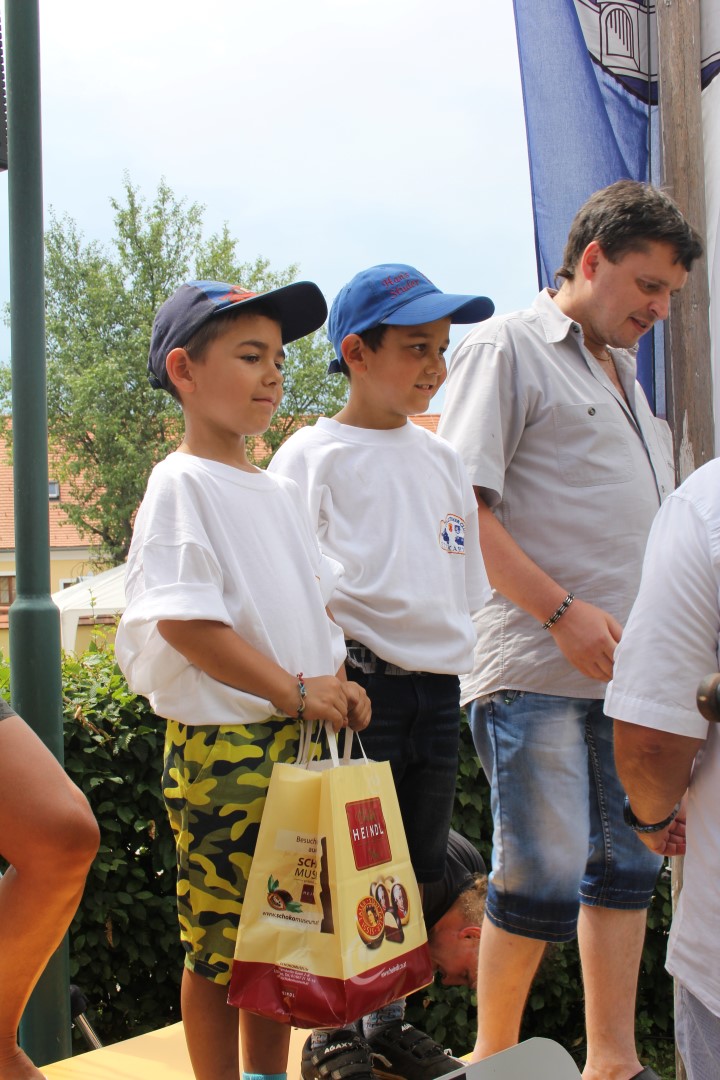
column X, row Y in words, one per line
column 671, row 643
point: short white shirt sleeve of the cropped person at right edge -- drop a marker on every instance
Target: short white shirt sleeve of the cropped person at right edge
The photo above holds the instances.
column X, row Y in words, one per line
column 671, row 641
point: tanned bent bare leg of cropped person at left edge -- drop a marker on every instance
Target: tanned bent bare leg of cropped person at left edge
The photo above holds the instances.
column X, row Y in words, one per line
column 50, row 838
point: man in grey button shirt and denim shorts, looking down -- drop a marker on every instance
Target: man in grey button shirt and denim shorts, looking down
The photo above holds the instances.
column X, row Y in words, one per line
column 569, row 467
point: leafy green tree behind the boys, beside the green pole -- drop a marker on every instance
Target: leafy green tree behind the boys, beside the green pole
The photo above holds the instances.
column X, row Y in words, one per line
column 107, row 426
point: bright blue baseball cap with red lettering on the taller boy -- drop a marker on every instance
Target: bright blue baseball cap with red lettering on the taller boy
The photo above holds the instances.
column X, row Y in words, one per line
column 393, row 294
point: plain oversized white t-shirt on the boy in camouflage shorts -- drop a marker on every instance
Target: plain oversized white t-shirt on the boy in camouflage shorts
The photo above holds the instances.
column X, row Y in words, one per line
column 215, row 543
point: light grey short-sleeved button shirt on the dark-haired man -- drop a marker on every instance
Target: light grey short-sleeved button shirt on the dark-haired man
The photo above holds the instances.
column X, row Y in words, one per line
column 574, row 472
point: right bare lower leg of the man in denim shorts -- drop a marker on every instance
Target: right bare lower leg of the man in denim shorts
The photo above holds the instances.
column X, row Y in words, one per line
column 610, row 949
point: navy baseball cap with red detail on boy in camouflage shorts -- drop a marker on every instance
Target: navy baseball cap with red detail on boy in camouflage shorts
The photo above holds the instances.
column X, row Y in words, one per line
column 302, row 309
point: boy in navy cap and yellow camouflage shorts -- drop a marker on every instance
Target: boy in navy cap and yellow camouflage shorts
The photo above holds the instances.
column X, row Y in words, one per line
column 226, row 632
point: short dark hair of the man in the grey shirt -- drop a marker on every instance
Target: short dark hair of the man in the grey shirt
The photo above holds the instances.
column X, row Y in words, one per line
column 628, row 217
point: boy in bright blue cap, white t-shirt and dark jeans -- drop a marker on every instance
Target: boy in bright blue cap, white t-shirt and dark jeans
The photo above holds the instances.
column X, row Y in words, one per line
column 393, row 504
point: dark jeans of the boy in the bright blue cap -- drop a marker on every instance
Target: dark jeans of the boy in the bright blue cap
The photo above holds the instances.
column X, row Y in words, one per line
column 416, row 727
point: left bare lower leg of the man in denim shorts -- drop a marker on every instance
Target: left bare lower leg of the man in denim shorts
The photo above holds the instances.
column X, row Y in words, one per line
column 506, row 969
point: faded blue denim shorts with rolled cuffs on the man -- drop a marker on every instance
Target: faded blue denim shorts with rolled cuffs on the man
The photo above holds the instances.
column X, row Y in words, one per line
column 559, row 839
